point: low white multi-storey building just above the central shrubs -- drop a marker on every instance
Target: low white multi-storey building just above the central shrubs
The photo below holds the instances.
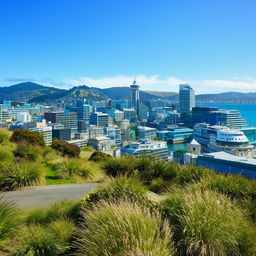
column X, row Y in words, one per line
column 158, row 150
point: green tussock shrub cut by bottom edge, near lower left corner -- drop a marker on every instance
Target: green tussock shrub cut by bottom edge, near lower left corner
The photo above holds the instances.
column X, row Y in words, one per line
column 36, row 240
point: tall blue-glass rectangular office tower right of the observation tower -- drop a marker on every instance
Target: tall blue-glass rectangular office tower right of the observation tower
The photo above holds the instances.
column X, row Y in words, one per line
column 186, row 98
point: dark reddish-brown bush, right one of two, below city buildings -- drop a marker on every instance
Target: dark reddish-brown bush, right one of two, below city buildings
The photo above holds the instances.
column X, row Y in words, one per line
column 65, row 148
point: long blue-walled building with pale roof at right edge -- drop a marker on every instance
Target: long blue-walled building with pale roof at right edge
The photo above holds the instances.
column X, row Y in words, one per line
column 228, row 163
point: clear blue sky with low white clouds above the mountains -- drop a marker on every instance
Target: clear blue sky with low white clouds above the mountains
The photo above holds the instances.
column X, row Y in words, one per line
column 208, row 43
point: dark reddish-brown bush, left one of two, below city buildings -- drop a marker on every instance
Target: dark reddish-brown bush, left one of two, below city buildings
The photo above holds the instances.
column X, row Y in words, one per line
column 27, row 137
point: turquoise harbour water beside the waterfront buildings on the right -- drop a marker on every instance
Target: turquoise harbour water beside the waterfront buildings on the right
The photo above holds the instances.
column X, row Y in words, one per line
column 248, row 112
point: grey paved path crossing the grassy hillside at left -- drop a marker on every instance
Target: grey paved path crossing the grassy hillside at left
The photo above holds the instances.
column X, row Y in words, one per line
column 43, row 195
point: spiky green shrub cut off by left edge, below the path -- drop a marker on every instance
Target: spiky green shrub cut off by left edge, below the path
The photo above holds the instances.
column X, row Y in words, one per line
column 9, row 220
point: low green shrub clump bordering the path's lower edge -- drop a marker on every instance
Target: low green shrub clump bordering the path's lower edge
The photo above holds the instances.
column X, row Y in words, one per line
column 63, row 210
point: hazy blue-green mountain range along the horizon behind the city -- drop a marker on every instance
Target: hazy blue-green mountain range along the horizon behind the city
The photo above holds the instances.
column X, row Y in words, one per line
column 33, row 92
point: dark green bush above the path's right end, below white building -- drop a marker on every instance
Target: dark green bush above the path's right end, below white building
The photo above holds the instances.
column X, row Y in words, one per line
column 120, row 166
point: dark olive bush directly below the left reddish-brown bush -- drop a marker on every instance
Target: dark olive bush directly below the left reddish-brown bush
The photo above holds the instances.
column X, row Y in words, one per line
column 28, row 152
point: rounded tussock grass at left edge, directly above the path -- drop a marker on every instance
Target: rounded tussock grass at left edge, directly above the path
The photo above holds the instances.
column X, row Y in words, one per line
column 17, row 175
